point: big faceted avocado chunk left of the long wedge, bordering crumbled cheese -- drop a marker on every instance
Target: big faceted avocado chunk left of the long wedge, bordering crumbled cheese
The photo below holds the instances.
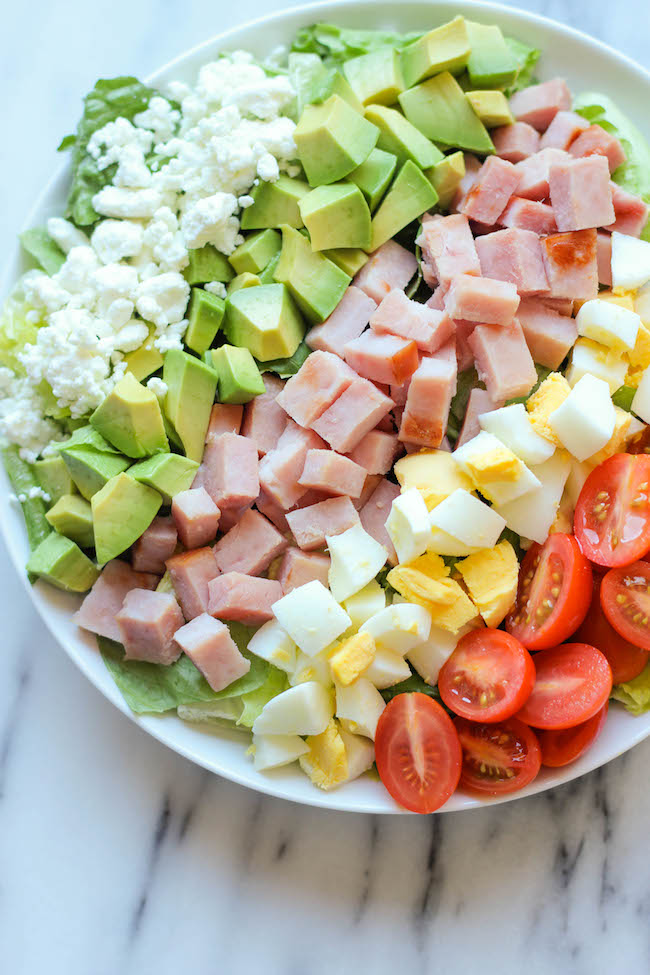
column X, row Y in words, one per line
column 130, row 418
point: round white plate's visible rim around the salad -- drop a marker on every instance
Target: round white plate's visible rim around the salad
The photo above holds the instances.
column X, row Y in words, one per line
column 587, row 65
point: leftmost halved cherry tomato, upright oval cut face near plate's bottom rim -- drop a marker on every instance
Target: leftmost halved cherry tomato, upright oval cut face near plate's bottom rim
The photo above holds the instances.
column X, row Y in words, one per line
column 396, row 728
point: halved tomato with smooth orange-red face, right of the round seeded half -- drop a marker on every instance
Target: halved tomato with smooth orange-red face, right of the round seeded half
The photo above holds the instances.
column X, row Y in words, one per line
column 573, row 682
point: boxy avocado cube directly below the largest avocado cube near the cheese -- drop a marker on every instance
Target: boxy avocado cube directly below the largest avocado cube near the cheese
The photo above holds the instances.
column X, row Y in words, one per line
column 336, row 216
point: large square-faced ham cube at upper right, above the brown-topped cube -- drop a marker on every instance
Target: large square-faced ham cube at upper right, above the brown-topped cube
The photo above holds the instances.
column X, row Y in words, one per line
column 580, row 193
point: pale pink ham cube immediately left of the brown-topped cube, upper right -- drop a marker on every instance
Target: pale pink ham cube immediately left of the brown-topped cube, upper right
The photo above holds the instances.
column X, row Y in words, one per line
column 514, row 255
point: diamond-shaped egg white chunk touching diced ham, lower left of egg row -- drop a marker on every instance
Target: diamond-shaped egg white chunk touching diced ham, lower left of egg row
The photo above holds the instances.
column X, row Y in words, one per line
column 311, row 616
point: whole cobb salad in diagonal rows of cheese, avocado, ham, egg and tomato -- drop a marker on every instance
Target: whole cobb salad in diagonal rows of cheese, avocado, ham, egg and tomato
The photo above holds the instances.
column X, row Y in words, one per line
column 329, row 393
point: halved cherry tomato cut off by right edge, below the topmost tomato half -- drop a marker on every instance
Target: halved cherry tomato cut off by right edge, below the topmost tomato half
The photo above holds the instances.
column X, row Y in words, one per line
column 625, row 598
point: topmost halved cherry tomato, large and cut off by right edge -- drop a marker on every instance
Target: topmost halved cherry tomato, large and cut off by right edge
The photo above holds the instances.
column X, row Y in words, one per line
column 612, row 519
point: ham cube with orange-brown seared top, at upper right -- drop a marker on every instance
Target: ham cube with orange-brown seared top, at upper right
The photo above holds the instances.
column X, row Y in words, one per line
column 571, row 264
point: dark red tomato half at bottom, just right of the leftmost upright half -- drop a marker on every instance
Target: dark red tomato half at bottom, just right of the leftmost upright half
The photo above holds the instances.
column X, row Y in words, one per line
column 497, row 758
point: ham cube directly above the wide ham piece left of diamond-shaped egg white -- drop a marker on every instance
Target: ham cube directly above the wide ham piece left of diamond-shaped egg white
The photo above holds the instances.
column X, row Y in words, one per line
column 250, row 546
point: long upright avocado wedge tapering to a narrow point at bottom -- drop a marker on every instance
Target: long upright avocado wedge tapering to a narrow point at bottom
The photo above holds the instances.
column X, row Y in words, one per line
column 191, row 387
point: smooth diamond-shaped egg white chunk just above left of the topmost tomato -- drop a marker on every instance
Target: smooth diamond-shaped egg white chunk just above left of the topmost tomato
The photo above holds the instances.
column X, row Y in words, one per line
column 585, row 422
